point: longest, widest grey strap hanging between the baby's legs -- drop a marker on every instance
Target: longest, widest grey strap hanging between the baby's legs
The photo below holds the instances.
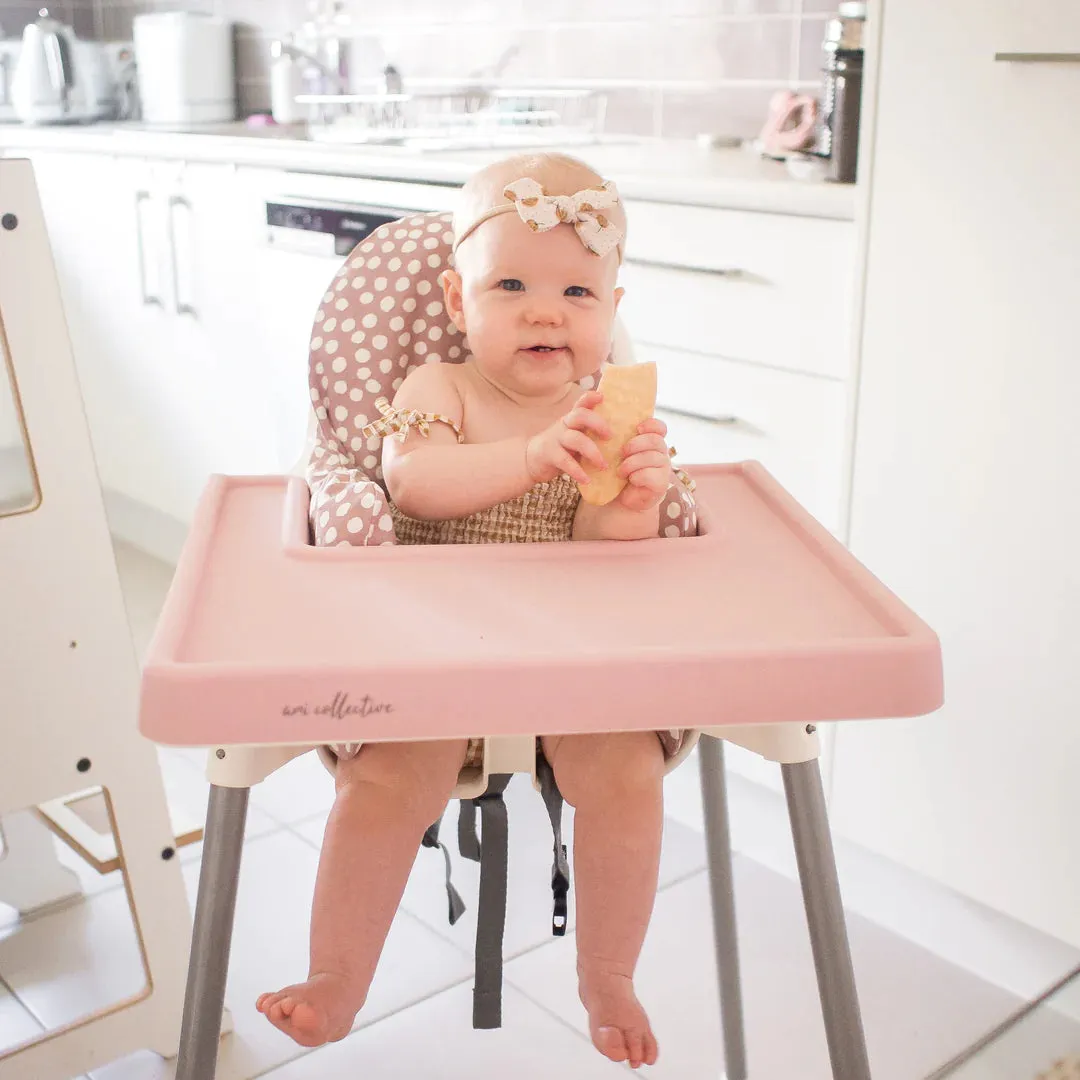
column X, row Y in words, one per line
column 492, row 909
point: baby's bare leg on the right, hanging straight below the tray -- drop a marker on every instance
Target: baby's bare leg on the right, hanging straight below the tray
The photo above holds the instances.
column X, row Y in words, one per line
column 615, row 782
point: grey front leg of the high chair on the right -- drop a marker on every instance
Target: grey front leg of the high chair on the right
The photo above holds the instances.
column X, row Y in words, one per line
column 829, row 934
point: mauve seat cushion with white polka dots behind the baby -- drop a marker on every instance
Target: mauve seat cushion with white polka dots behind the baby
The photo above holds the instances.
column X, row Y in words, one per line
column 383, row 316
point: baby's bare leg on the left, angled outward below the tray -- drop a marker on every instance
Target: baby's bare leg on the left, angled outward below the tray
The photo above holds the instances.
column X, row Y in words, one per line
column 387, row 798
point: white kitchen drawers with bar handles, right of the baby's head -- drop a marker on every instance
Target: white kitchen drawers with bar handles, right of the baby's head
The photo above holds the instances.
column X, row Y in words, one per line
column 748, row 317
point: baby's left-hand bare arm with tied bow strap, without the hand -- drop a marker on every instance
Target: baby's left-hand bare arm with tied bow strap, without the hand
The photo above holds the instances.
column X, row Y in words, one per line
column 437, row 478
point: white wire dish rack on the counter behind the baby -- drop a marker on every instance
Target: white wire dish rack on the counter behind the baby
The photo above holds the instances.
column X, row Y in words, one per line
column 461, row 118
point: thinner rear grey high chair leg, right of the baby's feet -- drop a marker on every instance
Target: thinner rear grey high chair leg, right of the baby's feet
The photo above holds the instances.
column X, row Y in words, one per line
column 722, row 887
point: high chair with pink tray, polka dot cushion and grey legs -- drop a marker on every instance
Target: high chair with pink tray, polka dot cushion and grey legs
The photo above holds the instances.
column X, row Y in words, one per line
column 776, row 629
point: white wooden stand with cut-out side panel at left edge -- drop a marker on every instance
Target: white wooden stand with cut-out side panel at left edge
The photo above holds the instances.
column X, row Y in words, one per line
column 70, row 676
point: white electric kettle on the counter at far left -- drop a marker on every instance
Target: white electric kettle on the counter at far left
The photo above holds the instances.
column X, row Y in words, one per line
column 59, row 79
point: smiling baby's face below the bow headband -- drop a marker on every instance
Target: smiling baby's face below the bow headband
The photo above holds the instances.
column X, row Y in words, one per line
column 538, row 308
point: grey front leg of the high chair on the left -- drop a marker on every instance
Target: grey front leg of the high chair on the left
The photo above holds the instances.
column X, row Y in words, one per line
column 209, row 967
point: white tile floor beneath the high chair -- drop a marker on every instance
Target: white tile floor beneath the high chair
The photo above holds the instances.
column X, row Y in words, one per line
column 920, row 1010
